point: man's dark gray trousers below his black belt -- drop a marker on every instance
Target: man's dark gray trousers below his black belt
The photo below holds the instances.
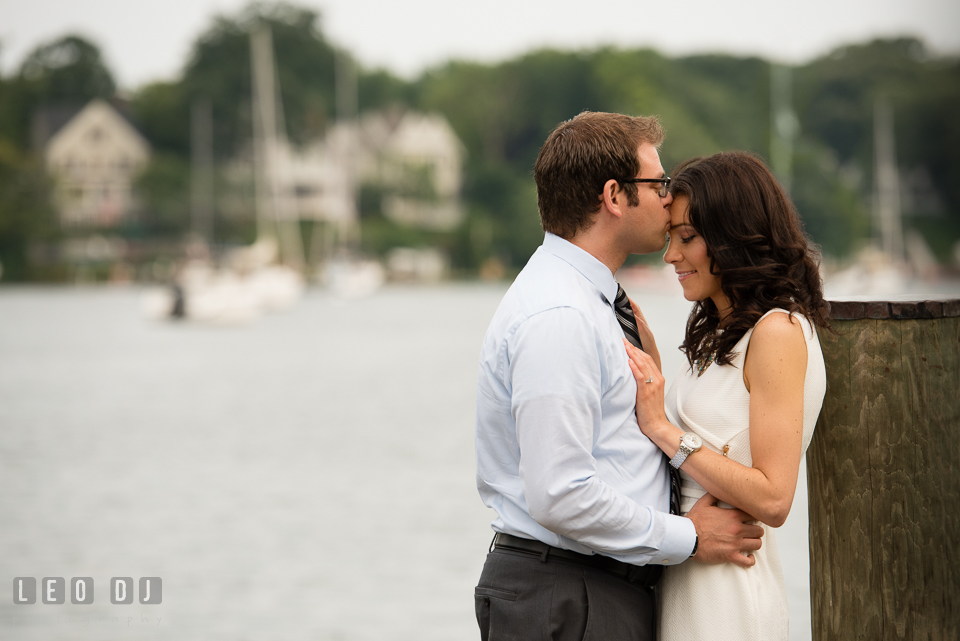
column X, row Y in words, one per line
column 520, row 598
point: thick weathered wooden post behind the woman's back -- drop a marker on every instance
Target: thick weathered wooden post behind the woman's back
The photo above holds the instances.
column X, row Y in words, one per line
column 883, row 474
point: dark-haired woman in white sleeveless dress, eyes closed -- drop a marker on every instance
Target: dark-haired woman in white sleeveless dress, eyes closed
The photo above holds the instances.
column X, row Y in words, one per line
column 751, row 390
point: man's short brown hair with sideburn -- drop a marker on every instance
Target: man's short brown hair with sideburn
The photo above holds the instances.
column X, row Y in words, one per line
column 579, row 157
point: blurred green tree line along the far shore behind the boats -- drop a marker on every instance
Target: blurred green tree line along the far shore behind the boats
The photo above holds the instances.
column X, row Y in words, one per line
column 502, row 113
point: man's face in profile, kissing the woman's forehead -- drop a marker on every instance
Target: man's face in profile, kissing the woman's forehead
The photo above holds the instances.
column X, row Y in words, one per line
column 649, row 221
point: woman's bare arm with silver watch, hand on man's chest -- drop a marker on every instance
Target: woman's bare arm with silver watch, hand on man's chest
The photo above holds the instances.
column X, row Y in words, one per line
column 774, row 371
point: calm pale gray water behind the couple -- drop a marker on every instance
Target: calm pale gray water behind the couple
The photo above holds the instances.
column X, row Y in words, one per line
column 310, row 476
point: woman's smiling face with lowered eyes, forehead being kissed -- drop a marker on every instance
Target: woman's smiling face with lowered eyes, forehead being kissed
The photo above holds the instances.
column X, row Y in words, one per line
column 687, row 252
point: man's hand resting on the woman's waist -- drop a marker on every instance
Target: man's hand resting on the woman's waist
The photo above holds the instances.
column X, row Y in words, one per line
column 724, row 534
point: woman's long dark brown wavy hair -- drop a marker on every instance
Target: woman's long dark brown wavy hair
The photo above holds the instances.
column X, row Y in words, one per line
column 756, row 245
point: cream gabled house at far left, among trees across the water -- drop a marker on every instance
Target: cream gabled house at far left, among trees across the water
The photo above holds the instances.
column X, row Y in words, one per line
column 94, row 159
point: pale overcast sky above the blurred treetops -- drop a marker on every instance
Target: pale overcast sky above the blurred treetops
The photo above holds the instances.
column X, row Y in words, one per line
column 145, row 41
